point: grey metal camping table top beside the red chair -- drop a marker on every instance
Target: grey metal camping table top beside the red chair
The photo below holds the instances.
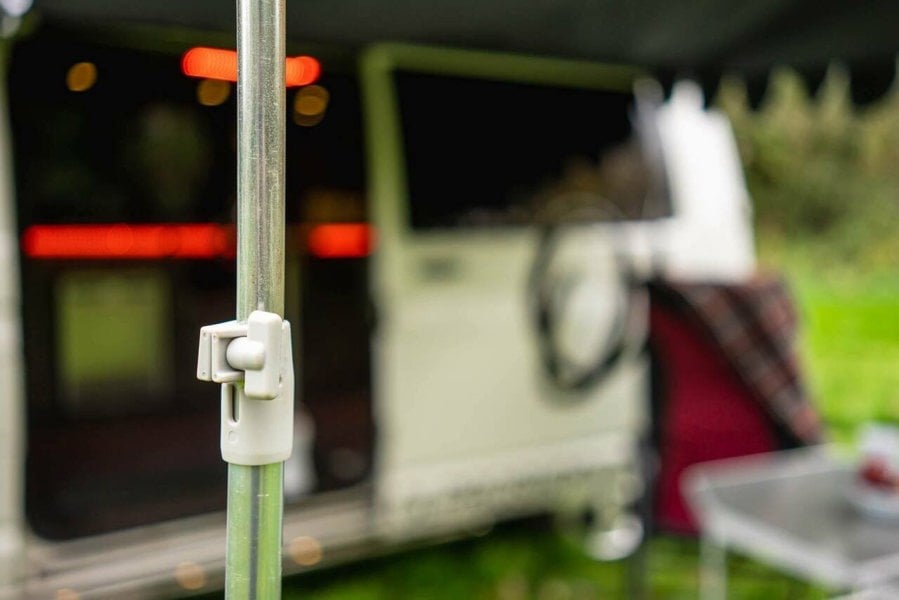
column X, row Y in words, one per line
column 792, row 510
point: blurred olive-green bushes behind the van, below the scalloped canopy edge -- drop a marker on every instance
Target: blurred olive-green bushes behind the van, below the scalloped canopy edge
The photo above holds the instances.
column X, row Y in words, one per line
column 820, row 169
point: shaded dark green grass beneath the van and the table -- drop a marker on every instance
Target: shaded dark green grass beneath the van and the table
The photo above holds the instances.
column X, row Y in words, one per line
column 521, row 562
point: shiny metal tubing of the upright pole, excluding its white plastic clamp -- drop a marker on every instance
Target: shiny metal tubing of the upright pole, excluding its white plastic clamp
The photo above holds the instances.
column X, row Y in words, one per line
column 255, row 493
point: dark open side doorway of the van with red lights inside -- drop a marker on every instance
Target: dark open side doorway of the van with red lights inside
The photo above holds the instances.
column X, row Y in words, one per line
column 114, row 136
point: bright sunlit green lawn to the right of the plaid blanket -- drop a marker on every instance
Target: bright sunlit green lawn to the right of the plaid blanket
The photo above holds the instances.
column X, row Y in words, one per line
column 849, row 340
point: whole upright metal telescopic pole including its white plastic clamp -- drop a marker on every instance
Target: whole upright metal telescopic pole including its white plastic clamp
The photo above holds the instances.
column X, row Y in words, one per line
column 251, row 356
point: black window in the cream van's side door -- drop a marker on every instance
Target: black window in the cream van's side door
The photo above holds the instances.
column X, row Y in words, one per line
column 489, row 153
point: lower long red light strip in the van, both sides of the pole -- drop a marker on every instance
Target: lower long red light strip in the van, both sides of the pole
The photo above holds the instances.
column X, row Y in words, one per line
column 125, row 241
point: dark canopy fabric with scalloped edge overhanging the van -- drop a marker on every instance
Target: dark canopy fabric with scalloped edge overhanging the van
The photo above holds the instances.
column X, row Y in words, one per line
column 699, row 38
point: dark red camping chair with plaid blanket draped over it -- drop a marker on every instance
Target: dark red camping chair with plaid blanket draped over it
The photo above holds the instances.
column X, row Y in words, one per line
column 726, row 383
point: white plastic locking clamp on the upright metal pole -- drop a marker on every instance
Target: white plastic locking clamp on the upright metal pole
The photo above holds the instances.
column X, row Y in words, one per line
column 254, row 363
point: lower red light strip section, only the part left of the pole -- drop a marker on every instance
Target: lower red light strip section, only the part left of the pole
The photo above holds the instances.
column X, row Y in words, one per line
column 129, row 241
